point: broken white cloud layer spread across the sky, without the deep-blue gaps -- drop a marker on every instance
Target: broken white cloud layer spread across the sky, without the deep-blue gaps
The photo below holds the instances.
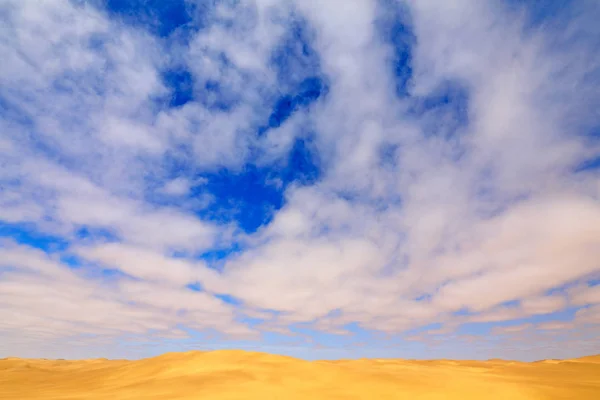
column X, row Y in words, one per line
column 489, row 215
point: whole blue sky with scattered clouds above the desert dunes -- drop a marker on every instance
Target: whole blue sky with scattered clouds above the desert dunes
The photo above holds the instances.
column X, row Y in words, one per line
column 321, row 179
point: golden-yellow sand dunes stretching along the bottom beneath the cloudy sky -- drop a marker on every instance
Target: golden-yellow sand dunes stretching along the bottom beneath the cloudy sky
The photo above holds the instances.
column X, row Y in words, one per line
column 246, row 375
